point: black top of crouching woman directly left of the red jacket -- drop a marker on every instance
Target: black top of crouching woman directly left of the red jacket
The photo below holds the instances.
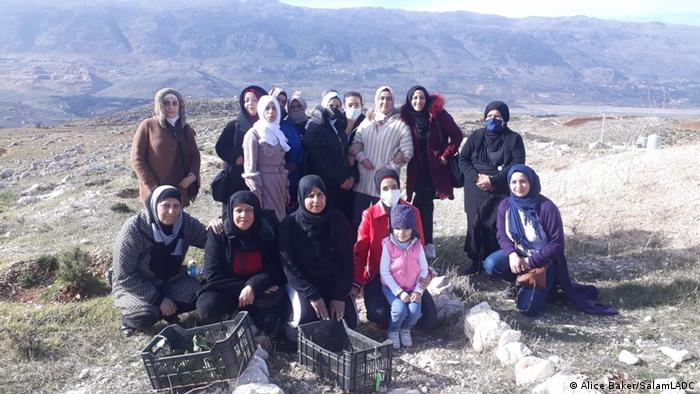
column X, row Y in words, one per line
column 318, row 272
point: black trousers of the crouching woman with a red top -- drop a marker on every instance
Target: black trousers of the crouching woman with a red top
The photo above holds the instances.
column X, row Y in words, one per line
column 268, row 311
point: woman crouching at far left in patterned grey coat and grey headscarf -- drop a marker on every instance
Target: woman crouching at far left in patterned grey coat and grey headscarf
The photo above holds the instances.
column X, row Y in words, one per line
column 149, row 282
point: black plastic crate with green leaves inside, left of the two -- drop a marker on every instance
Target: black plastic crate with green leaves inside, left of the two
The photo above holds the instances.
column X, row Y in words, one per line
column 169, row 367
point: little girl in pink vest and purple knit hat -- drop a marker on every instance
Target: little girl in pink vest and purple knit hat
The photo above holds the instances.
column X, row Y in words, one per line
column 403, row 262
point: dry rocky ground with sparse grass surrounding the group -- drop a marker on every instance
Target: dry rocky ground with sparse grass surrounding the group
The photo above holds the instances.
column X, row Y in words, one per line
column 630, row 219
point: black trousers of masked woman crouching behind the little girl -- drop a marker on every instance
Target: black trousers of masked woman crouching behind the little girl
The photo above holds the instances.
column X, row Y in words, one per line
column 379, row 310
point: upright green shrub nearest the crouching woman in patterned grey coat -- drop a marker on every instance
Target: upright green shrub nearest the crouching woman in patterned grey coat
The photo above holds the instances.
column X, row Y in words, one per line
column 74, row 274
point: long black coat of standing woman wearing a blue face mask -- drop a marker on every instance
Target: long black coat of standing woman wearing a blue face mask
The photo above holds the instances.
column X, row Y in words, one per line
column 479, row 205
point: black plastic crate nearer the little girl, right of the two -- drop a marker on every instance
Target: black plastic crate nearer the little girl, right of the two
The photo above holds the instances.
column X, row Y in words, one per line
column 354, row 362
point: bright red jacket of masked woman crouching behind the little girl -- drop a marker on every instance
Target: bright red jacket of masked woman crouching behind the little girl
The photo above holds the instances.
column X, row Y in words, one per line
column 367, row 252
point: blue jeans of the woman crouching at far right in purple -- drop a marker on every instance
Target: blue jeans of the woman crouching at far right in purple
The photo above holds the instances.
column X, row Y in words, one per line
column 530, row 301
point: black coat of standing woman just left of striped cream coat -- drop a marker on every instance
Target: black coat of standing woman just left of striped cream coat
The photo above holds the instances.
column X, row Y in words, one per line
column 327, row 150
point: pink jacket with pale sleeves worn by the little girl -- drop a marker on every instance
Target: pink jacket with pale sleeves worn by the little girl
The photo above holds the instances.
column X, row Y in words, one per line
column 401, row 268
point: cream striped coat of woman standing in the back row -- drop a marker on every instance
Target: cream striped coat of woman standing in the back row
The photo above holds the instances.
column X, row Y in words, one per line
column 380, row 142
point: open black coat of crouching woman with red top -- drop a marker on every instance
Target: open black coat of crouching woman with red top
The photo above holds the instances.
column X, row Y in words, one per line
column 218, row 255
